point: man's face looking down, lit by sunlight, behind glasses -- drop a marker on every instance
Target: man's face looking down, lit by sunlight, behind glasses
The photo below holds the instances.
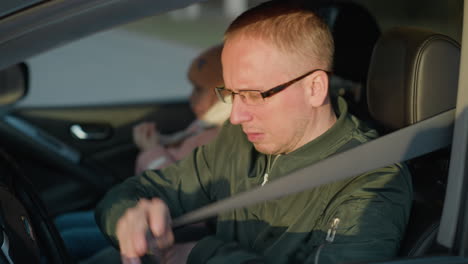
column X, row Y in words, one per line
column 284, row 121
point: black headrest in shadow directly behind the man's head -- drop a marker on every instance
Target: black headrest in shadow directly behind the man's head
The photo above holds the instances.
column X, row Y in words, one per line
column 355, row 32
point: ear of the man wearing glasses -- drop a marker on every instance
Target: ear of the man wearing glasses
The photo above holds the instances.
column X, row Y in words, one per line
column 317, row 82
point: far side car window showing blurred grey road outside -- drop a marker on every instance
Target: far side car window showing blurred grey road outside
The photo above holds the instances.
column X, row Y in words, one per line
column 143, row 61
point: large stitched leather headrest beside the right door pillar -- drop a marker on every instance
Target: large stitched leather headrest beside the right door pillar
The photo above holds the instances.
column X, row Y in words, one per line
column 413, row 75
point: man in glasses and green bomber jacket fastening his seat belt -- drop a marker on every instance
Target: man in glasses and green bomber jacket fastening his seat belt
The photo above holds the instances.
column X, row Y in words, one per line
column 272, row 132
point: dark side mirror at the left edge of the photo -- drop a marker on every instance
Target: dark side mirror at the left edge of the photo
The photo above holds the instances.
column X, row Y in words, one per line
column 14, row 82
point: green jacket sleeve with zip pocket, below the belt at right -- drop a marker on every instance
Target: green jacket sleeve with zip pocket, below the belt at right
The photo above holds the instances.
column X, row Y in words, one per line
column 372, row 219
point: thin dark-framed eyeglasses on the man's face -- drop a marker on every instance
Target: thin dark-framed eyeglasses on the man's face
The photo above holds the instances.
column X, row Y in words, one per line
column 257, row 97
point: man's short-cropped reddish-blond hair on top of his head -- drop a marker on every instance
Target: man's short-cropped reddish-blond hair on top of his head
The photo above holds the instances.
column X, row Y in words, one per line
column 291, row 28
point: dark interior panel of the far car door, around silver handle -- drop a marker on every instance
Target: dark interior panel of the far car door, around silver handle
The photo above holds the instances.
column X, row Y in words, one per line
column 67, row 183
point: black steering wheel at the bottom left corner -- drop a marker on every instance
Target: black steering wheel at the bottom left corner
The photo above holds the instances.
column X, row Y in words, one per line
column 27, row 233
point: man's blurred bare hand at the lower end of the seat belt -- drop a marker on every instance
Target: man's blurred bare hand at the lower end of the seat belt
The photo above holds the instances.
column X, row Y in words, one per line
column 132, row 226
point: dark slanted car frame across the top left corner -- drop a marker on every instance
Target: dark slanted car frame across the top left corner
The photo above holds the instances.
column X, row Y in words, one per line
column 42, row 25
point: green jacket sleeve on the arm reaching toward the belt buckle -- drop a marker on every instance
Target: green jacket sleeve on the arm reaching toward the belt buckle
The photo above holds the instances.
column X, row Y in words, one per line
column 184, row 186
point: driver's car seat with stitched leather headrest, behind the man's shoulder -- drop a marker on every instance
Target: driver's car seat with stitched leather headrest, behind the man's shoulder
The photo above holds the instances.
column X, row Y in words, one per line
column 413, row 75
